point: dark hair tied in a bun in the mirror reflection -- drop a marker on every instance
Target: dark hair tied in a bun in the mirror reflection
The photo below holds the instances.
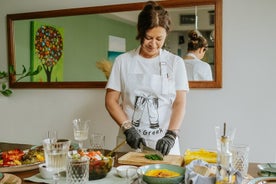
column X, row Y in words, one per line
column 196, row 41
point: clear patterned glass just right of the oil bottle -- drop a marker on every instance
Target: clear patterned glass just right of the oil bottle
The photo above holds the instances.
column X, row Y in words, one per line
column 240, row 154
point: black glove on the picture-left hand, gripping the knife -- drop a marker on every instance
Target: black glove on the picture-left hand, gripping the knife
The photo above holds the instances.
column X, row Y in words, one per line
column 133, row 138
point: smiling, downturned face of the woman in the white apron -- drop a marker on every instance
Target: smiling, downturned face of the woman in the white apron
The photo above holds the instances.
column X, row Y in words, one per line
column 153, row 41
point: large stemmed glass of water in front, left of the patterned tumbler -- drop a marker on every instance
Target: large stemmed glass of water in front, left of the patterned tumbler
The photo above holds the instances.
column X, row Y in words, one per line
column 55, row 157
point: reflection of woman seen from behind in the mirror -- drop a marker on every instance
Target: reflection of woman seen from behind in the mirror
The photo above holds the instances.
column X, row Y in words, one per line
column 197, row 69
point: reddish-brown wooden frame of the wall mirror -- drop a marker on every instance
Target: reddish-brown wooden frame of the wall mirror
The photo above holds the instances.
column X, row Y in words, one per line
column 216, row 83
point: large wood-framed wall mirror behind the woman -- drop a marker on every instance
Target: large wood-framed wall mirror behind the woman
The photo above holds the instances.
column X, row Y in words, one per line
column 85, row 36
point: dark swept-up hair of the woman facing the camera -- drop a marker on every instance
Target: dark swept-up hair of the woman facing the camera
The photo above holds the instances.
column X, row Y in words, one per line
column 152, row 15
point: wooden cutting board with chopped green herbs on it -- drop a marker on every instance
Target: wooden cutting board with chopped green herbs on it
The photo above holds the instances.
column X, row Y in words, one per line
column 138, row 159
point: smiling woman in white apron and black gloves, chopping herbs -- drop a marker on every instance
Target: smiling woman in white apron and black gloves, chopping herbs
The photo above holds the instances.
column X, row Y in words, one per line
column 152, row 85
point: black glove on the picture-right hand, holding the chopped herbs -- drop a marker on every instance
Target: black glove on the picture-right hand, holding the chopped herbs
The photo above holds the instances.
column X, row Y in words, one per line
column 165, row 144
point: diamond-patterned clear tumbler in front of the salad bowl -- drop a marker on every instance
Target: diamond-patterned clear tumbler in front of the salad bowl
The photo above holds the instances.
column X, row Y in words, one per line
column 77, row 171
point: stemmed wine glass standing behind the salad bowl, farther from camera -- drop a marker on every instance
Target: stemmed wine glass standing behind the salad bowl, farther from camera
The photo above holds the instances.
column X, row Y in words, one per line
column 81, row 128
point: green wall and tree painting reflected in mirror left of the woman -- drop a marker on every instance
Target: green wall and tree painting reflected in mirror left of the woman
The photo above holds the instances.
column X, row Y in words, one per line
column 86, row 39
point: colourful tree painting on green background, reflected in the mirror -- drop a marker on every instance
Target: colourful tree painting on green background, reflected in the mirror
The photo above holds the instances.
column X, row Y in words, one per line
column 47, row 52
